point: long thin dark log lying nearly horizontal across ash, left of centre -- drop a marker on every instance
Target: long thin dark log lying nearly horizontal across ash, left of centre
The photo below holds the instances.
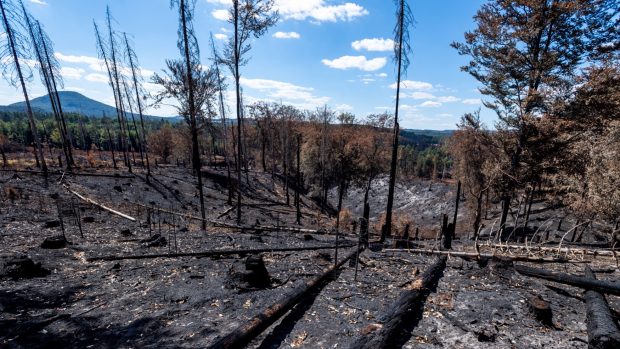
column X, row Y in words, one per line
column 218, row 252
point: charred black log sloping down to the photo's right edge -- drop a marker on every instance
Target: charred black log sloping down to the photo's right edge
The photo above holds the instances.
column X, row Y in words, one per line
column 606, row 287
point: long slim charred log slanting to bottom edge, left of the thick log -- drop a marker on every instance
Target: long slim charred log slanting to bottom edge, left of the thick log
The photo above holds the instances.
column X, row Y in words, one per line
column 243, row 334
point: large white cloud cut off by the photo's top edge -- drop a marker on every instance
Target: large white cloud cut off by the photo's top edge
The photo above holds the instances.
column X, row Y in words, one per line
column 319, row 11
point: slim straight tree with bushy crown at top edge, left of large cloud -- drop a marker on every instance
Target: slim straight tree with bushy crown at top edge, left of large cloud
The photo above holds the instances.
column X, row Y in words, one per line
column 249, row 18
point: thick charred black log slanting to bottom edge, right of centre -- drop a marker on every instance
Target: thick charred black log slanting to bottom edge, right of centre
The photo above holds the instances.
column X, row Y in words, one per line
column 402, row 313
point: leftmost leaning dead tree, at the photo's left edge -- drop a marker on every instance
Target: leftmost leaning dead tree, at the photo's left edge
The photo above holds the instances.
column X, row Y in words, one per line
column 12, row 52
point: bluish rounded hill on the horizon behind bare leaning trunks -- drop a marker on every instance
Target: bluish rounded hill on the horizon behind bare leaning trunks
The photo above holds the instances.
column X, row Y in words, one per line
column 72, row 102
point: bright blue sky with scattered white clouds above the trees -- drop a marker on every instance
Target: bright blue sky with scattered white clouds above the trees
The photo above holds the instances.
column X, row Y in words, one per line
column 334, row 52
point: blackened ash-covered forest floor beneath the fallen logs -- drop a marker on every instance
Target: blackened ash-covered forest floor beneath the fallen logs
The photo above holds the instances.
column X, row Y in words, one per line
column 65, row 300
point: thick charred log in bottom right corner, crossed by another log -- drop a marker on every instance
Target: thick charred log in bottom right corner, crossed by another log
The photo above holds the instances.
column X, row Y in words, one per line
column 602, row 330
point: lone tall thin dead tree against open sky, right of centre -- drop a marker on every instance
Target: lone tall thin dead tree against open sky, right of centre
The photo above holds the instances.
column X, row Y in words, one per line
column 402, row 50
